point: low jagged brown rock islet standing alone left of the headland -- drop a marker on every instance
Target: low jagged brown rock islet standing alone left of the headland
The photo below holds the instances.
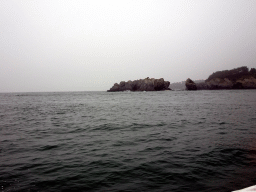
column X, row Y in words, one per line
column 147, row 84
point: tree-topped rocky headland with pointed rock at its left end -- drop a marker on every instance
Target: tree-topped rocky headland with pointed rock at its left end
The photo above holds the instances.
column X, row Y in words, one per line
column 238, row 78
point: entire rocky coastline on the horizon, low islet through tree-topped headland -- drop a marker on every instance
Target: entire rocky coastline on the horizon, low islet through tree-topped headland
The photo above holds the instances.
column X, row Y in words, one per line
column 238, row 78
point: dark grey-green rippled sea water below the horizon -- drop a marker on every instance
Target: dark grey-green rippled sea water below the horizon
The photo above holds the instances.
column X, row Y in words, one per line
column 128, row 141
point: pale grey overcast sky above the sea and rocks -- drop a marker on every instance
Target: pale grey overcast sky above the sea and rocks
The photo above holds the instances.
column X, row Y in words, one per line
column 79, row 45
